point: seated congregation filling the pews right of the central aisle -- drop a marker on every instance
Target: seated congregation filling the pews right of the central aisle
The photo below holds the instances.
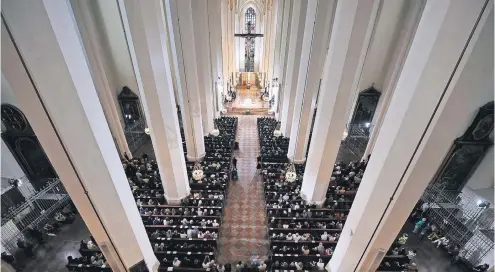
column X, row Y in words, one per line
column 302, row 235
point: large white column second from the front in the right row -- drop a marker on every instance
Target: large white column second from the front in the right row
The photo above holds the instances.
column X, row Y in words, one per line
column 351, row 31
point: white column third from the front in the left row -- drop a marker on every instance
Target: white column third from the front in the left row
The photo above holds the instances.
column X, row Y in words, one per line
column 179, row 19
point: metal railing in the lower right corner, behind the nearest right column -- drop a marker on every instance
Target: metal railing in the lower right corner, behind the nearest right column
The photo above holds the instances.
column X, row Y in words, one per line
column 461, row 220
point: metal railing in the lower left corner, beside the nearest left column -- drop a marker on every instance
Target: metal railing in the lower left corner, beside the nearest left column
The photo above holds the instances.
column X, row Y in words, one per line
column 38, row 209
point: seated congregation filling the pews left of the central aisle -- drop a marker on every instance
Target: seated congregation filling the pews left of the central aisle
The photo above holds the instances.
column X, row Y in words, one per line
column 184, row 236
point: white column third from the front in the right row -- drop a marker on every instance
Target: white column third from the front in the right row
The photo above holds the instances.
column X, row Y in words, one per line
column 314, row 50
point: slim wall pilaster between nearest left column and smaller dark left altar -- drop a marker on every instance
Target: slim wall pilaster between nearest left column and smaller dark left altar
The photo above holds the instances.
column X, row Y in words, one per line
column 95, row 52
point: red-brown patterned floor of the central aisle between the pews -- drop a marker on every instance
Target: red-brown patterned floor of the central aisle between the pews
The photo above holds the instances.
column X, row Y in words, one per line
column 243, row 233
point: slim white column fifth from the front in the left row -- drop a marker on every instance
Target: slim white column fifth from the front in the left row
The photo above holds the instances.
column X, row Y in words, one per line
column 216, row 41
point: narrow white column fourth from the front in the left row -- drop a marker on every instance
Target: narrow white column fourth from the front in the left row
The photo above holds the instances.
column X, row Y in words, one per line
column 204, row 65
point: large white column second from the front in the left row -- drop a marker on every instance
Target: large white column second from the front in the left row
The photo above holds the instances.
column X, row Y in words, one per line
column 147, row 34
